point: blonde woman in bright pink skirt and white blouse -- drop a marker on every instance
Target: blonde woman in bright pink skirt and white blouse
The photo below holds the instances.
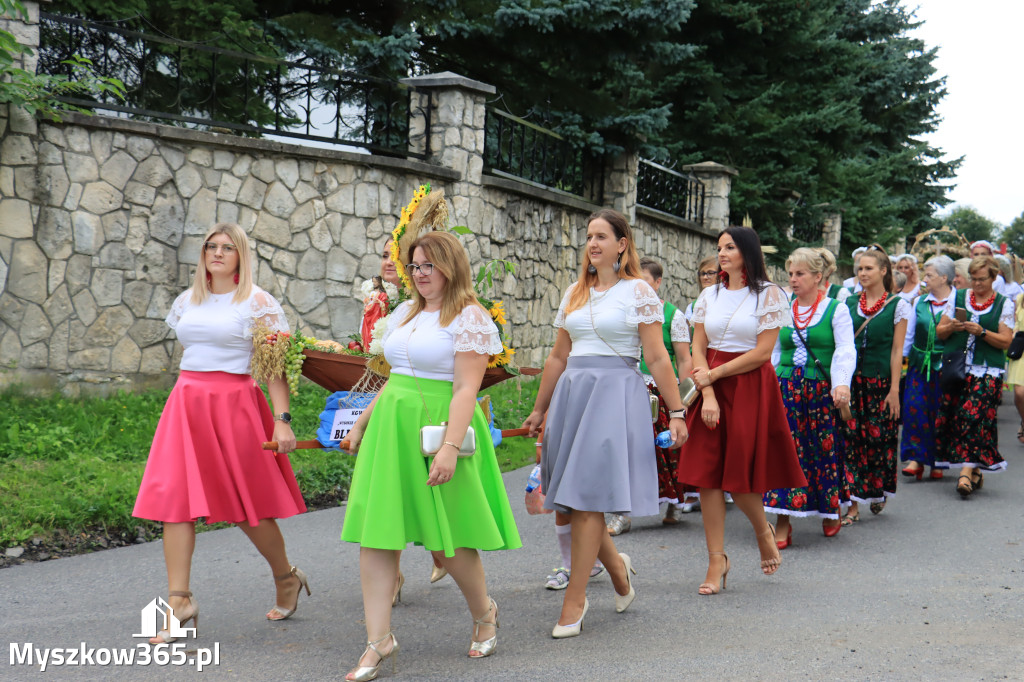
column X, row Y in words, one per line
column 207, row 458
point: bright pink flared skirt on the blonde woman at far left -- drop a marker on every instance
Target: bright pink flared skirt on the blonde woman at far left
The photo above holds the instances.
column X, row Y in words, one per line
column 207, row 458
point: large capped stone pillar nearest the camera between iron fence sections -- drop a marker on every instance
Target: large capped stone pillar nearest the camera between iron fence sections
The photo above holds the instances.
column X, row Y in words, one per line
column 457, row 115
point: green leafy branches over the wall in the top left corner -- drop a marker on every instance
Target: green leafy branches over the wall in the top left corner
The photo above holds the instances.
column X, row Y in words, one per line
column 41, row 94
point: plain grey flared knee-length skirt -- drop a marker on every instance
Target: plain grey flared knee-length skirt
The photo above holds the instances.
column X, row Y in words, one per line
column 599, row 452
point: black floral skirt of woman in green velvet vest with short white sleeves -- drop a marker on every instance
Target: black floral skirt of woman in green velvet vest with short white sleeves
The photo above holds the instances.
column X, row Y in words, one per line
column 871, row 442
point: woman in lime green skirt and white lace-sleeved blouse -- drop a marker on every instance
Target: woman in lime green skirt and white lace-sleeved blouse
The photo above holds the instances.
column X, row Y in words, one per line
column 438, row 346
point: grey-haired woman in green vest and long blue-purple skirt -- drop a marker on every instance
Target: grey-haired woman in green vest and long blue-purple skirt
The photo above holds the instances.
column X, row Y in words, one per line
column 924, row 351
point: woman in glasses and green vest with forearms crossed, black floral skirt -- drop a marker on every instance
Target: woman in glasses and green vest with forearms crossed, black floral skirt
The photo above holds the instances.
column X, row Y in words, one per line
column 966, row 427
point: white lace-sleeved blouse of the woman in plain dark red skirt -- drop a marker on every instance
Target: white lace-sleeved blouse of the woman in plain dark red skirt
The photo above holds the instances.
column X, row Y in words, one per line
column 733, row 320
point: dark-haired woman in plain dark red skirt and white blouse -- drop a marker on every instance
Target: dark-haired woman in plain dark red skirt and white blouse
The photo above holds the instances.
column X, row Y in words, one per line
column 740, row 438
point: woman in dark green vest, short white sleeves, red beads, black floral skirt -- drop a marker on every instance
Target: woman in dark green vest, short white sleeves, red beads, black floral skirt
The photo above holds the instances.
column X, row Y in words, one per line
column 880, row 321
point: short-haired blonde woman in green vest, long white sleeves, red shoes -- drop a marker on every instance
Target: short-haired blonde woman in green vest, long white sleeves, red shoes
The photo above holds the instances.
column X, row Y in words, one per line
column 815, row 360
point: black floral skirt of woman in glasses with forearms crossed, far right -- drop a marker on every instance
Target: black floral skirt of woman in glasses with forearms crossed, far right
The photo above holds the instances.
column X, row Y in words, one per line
column 966, row 427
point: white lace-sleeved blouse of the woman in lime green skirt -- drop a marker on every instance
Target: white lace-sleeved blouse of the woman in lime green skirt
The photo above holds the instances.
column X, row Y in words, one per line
column 433, row 348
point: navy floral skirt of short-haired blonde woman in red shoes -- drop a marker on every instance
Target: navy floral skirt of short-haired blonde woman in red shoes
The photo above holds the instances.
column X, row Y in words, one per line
column 816, row 425
